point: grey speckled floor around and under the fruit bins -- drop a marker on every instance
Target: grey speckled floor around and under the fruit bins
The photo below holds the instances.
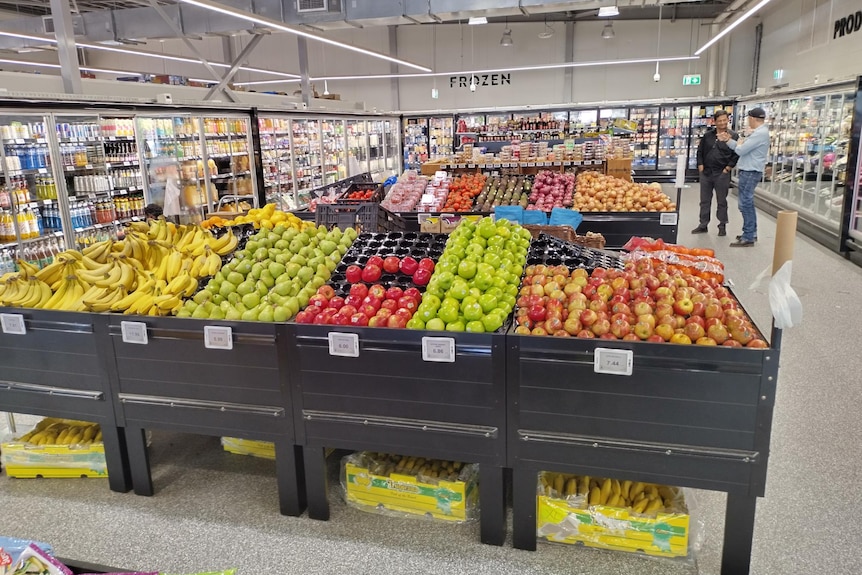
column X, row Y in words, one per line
column 215, row 510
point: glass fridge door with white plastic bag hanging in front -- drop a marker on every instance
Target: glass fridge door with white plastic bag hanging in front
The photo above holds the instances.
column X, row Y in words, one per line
column 175, row 174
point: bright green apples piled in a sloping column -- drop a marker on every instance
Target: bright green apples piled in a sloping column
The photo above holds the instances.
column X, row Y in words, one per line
column 476, row 279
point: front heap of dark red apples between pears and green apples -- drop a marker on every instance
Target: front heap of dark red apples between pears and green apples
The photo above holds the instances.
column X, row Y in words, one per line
column 374, row 306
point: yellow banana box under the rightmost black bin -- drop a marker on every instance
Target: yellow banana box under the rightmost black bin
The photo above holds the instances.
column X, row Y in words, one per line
column 616, row 515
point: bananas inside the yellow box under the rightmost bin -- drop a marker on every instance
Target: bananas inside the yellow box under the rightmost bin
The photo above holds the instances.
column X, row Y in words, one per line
column 644, row 498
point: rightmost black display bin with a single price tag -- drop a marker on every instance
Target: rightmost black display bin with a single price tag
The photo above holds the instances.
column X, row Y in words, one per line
column 690, row 416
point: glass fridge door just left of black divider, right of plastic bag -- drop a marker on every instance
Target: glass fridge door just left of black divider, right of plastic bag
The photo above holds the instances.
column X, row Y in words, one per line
column 228, row 158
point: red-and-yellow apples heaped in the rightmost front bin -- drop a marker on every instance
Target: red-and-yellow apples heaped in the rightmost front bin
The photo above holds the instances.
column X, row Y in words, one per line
column 647, row 301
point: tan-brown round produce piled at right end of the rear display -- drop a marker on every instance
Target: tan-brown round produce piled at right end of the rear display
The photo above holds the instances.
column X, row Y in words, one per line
column 600, row 193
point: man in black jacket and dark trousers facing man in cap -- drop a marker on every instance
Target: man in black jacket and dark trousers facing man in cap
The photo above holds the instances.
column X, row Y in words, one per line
column 715, row 160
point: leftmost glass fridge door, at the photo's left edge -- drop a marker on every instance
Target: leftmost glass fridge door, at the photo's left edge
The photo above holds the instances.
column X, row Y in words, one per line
column 31, row 218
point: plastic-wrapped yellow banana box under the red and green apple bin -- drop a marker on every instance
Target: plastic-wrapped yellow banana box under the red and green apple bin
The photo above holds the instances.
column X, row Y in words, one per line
column 411, row 486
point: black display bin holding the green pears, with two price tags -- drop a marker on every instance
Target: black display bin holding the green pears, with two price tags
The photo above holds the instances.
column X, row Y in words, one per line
column 174, row 382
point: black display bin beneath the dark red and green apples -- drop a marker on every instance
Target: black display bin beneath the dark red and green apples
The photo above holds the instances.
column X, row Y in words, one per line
column 388, row 399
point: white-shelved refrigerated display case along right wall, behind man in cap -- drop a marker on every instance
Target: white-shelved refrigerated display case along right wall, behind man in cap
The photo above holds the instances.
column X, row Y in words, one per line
column 807, row 161
